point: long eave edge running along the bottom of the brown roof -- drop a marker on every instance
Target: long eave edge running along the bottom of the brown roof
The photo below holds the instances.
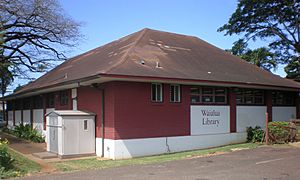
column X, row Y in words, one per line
column 101, row 78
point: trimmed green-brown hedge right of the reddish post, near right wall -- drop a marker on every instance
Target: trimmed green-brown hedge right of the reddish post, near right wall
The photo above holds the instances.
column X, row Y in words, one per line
column 278, row 131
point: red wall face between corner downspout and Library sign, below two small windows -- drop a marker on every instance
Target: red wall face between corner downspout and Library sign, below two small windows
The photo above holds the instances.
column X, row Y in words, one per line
column 137, row 117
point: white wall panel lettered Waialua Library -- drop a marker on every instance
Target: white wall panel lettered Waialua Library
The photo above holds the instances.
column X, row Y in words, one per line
column 210, row 120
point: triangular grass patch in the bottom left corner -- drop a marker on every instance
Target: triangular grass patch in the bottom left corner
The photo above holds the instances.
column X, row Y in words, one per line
column 22, row 166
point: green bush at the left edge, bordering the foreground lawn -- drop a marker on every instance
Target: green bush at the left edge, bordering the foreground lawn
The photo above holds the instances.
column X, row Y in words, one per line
column 6, row 161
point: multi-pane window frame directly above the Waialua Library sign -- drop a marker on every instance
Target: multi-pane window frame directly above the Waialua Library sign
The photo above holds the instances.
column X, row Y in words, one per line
column 200, row 95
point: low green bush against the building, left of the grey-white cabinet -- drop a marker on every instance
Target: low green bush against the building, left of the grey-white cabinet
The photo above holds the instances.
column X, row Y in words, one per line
column 26, row 132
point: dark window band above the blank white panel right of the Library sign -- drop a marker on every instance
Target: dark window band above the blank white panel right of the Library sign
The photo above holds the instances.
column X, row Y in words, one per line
column 249, row 96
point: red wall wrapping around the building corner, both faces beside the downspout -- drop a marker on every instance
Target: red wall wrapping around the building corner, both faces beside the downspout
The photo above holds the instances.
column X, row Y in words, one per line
column 129, row 112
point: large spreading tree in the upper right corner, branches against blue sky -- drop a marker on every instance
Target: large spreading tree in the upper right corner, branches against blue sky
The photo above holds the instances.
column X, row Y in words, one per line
column 277, row 21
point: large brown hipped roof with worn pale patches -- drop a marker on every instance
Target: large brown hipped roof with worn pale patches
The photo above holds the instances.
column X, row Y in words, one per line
column 152, row 53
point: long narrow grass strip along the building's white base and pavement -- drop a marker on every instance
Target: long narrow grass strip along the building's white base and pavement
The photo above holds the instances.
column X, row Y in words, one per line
column 97, row 163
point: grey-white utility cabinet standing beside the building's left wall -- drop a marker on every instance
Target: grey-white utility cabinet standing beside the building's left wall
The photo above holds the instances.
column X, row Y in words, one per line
column 70, row 132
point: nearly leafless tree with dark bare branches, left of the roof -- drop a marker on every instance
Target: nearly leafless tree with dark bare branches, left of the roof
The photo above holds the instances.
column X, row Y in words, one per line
column 35, row 32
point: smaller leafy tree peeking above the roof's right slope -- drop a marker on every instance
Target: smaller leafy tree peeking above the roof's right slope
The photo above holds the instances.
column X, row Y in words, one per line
column 261, row 57
